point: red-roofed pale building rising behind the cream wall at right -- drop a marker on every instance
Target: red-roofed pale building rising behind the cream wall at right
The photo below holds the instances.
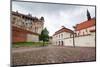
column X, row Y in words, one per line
column 85, row 28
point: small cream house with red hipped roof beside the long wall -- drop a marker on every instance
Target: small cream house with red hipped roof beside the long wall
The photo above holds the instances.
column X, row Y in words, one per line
column 60, row 35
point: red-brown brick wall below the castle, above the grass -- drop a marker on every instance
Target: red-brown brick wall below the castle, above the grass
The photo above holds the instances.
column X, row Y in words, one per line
column 20, row 35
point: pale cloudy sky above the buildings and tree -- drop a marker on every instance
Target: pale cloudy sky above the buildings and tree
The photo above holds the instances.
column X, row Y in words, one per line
column 55, row 15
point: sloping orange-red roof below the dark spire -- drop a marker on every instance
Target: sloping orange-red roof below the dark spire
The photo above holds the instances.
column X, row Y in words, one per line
column 85, row 24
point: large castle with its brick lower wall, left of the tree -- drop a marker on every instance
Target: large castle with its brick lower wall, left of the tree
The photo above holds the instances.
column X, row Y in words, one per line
column 26, row 27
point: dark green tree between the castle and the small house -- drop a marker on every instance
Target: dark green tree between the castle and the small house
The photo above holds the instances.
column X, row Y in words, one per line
column 44, row 36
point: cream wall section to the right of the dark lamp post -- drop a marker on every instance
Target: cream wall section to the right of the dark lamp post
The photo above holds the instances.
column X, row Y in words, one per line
column 85, row 41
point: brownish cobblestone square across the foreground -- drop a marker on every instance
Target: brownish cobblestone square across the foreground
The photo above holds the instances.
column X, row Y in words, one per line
column 51, row 54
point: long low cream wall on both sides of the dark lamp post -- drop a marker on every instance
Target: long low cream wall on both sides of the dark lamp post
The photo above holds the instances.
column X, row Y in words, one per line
column 81, row 41
